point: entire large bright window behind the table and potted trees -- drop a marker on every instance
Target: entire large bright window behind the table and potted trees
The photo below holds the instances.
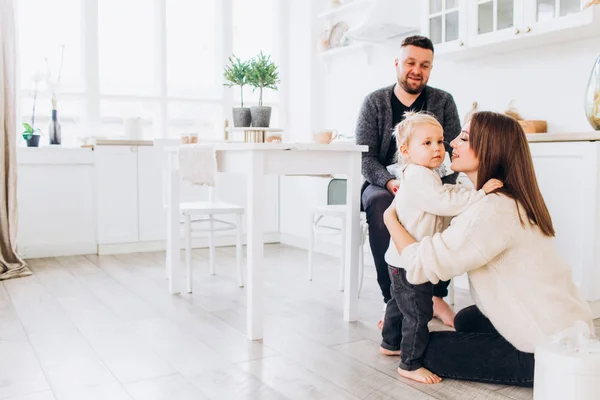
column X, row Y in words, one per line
column 157, row 60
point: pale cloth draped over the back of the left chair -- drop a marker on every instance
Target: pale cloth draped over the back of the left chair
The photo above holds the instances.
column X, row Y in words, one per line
column 198, row 164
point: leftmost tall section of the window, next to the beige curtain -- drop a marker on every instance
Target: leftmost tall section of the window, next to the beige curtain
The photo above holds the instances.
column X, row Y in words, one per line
column 41, row 43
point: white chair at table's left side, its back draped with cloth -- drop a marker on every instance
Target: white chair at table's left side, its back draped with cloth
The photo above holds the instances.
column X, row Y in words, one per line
column 199, row 216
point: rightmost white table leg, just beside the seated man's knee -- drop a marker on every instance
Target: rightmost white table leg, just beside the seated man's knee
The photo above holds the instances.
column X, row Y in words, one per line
column 353, row 235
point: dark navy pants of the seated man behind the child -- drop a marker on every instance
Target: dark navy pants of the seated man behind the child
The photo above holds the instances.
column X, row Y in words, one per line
column 375, row 200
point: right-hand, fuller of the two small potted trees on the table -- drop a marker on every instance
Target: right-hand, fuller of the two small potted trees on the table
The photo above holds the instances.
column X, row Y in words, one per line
column 262, row 75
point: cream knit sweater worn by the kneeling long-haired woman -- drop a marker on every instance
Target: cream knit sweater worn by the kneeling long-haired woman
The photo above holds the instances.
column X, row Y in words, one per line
column 517, row 278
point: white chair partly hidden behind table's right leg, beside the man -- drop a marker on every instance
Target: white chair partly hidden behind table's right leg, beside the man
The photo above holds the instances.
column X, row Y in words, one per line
column 335, row 208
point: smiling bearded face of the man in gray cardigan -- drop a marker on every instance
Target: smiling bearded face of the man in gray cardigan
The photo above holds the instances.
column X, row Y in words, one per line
column 413, row 68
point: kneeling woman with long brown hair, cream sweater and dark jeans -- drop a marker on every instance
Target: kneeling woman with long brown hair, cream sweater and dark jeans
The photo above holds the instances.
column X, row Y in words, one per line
column 522, row 289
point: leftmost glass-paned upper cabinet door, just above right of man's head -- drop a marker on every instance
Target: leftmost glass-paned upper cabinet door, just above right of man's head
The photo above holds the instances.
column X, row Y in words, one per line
column 445, row 23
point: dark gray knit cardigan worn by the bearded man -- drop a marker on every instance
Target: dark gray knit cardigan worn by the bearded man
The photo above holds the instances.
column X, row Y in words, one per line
column 374, row 127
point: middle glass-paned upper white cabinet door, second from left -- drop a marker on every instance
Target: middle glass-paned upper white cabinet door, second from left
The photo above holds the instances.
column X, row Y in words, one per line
column 492, row 21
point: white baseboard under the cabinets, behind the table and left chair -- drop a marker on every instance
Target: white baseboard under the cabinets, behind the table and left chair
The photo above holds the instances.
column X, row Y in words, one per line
column 159, row 245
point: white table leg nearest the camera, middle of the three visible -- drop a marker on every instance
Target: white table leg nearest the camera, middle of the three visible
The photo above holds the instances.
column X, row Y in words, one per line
column 254, row 229
